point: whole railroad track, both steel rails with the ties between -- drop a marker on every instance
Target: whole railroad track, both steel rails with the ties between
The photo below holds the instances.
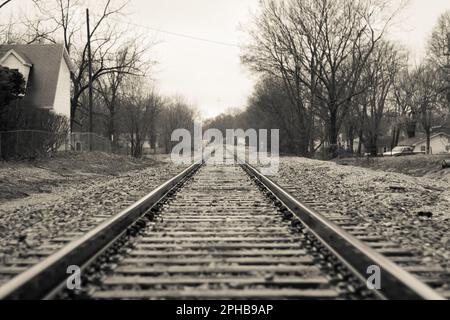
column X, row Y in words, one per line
column 217, row 232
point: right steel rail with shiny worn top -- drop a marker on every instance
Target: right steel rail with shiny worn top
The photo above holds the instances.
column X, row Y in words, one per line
column 396, row 283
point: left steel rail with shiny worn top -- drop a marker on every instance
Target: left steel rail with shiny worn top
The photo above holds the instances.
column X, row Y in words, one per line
column 41, row 280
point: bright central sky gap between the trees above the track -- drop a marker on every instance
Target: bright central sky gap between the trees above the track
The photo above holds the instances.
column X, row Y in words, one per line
column 208, row 74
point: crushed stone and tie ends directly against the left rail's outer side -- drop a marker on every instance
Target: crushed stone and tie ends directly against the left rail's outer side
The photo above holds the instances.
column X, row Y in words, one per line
column 61, row 223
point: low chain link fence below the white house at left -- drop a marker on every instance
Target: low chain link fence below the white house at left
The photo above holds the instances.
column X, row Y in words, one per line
column 32, row 144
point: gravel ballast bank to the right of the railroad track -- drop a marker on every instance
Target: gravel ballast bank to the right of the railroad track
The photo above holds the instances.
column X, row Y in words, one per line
column 411, row 211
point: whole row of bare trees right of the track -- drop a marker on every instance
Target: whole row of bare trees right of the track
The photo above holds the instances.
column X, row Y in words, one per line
column 329, row 76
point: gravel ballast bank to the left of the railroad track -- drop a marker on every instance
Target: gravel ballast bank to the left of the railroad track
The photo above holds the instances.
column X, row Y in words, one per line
column 33, row 225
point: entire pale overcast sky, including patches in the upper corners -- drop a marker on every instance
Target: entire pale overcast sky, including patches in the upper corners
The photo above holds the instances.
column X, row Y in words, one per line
column 209, row 74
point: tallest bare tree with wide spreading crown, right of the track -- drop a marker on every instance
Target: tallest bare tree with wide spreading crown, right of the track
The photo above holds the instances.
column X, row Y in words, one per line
column 319, row 49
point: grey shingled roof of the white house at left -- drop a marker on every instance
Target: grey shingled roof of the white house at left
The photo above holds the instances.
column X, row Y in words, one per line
column 43, row 79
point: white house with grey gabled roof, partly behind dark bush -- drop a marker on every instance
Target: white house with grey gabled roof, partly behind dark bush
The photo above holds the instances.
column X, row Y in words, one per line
column 46, row 69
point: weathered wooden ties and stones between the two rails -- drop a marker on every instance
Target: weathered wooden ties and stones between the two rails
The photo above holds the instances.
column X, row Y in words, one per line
column 221, row 237
